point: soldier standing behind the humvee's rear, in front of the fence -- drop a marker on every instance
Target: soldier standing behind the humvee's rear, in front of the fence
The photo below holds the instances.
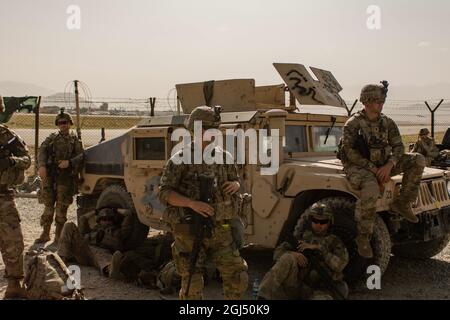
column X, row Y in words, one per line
column 60, row 161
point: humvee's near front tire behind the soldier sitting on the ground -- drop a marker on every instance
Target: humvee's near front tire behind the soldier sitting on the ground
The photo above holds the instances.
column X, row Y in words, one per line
column 345, row 228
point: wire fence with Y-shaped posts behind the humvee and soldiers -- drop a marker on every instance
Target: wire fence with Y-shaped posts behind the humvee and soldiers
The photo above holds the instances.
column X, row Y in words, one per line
column 106, row 118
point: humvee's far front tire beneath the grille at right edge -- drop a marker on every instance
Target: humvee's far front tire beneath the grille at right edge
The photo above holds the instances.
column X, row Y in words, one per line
column 422, row 250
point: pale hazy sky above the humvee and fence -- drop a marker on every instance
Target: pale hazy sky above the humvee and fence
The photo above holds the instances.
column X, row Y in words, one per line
column 141, row 48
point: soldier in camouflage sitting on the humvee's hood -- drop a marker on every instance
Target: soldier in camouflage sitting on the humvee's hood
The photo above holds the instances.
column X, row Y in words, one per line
column 384, row 158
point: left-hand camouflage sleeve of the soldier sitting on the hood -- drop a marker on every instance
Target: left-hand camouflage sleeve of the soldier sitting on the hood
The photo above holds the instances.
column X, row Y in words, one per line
column 350, row 135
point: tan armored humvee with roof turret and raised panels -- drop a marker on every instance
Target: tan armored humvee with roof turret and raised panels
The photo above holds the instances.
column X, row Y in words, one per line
column 125, row 171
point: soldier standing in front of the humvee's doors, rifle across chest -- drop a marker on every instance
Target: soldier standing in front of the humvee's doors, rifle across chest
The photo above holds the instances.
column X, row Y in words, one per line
column 179, row 189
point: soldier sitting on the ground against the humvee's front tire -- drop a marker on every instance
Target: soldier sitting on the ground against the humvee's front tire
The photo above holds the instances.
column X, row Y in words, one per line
column 292, row 277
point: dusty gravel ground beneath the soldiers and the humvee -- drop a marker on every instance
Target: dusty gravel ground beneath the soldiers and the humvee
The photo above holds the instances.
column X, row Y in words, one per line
column 404, row 279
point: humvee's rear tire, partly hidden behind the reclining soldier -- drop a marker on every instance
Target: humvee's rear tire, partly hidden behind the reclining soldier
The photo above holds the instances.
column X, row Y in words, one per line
column 116, row 196
